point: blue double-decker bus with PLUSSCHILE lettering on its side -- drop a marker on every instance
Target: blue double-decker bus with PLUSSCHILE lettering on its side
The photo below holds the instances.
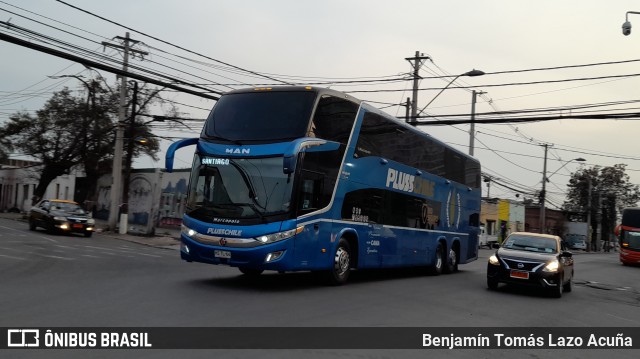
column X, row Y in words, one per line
column 311, row 179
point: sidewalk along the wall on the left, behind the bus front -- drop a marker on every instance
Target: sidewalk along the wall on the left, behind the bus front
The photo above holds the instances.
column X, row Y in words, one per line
column 166, row 238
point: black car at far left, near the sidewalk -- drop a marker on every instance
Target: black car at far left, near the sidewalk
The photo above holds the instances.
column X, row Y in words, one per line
column 57, row 215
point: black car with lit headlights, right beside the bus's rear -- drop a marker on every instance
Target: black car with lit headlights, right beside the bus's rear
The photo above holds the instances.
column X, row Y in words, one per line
column 532, row 259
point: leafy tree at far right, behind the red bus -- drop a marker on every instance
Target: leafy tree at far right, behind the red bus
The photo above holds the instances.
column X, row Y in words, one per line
column 610, row 192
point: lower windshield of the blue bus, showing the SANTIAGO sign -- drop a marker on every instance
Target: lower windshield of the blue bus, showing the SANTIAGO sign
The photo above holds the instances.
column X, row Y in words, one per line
column 245, row 190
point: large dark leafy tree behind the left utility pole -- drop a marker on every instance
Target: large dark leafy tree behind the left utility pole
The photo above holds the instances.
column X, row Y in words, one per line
column 74, row 131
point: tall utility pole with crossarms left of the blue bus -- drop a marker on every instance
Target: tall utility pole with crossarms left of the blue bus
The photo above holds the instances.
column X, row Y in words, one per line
column 116, row 186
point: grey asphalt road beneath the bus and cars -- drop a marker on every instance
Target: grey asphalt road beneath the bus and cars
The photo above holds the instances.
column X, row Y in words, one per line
column 71, row 281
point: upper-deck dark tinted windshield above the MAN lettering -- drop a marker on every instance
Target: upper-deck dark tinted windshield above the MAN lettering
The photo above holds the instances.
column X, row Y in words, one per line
column 264, row 116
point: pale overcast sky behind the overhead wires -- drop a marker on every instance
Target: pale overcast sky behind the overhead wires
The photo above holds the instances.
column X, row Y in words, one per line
column 333, row 41
